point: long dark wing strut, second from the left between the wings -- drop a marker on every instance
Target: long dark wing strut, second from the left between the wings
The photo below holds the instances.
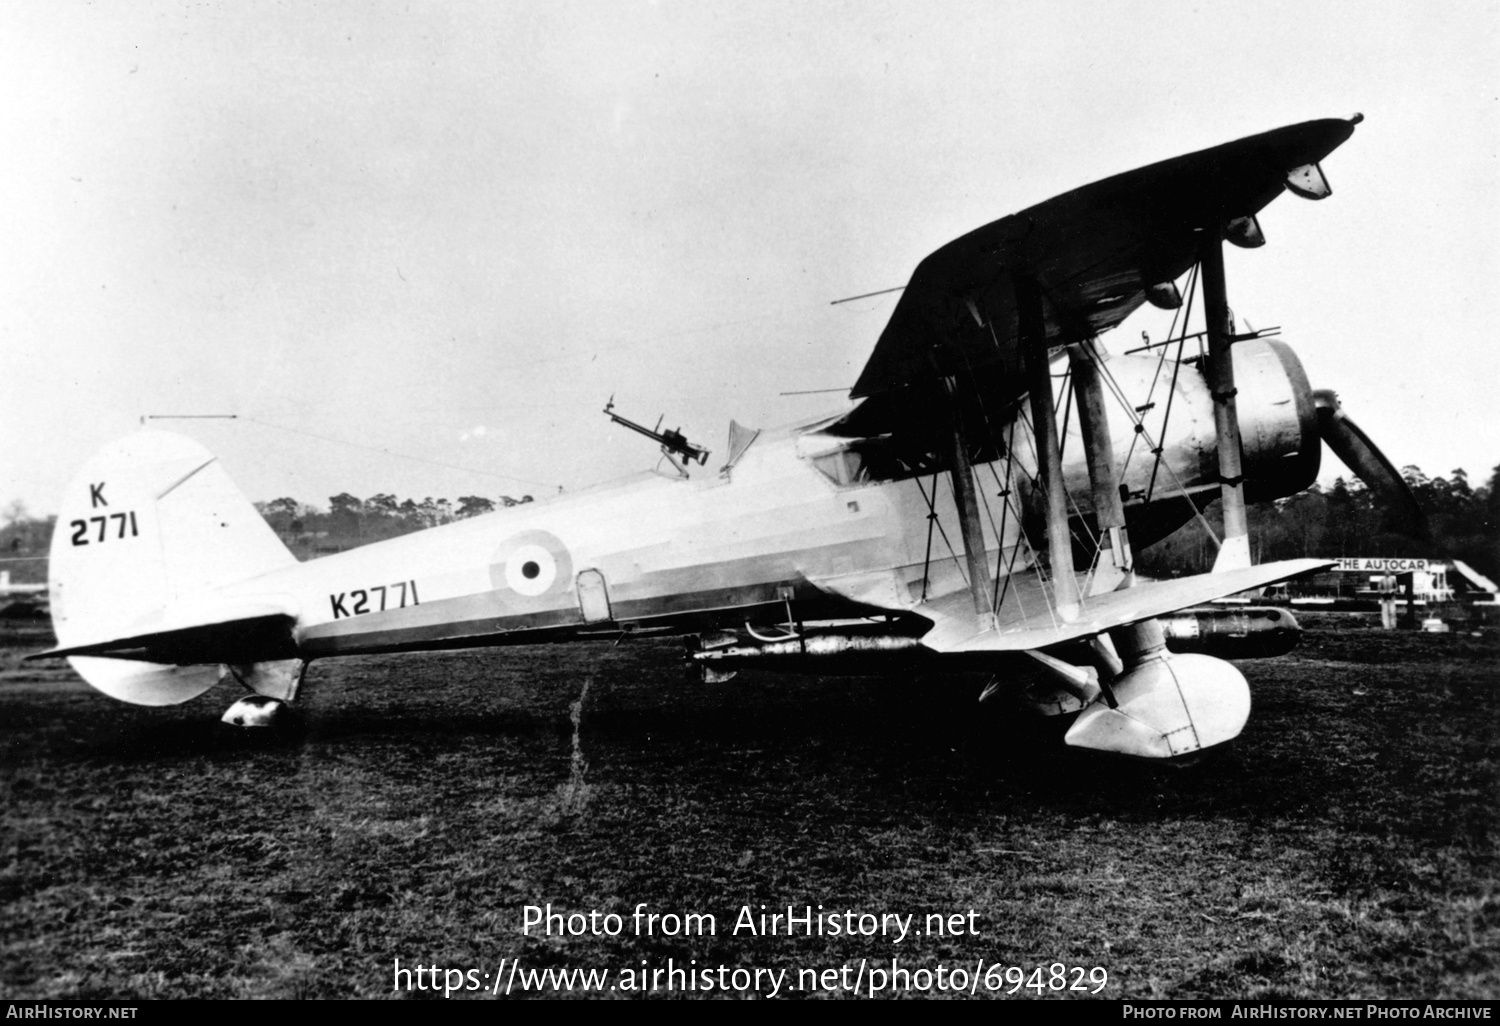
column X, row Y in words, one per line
column 1049, row 457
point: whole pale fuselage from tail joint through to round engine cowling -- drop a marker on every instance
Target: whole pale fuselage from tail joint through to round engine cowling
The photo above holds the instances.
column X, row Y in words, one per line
column 803, row 526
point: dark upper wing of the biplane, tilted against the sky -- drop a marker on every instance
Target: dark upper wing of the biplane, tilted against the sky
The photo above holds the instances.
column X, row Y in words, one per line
column 1093, row 253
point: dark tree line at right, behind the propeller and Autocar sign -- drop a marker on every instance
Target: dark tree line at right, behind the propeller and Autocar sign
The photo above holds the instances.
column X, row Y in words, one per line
column 1349, row 520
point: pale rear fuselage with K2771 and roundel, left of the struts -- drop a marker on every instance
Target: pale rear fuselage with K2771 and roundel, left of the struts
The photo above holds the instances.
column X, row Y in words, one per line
column 650, row 553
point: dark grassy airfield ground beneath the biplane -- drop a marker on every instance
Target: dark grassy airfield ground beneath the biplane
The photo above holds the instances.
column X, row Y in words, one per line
column 1346, row 847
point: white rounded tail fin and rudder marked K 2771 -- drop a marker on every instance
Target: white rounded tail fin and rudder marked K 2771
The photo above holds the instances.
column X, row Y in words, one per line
column 148, row 527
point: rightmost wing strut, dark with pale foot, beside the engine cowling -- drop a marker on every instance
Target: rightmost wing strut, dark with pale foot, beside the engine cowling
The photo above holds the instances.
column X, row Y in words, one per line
column 1235, row 551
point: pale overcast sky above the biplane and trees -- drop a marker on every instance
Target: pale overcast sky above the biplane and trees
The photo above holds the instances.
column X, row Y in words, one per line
column 418, row 247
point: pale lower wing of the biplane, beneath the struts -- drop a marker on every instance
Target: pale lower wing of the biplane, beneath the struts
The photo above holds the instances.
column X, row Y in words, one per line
column 956, row 628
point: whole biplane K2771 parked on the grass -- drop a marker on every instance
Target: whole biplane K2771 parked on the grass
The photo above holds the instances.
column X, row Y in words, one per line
column 977, row 509
